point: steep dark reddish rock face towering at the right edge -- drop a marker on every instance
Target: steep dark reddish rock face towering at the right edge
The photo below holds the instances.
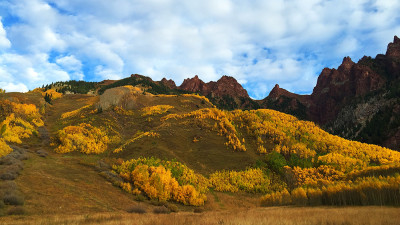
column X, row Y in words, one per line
column 360, row 101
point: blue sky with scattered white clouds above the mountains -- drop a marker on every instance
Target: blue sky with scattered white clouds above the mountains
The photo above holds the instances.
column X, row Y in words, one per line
column 259, row 42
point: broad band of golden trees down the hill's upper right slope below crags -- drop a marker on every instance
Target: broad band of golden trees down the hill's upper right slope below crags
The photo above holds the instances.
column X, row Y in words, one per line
column 291, row 136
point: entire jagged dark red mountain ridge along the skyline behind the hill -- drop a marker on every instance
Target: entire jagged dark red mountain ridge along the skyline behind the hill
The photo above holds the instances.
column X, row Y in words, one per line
column 339, row 90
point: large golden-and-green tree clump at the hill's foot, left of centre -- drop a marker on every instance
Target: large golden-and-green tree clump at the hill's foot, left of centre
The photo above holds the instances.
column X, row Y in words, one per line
column 154, row 178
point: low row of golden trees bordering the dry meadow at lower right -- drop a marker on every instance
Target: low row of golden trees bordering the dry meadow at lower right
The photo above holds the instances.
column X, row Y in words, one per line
column 363, row 191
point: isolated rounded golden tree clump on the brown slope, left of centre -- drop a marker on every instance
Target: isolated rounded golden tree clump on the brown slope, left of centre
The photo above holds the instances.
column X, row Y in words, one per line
column 83, row 138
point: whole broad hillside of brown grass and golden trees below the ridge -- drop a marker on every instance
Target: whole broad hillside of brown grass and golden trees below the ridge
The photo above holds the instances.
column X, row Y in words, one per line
column 105, row 153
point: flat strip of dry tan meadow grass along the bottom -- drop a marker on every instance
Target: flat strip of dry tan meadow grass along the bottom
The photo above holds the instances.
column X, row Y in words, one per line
column 258, row 216
